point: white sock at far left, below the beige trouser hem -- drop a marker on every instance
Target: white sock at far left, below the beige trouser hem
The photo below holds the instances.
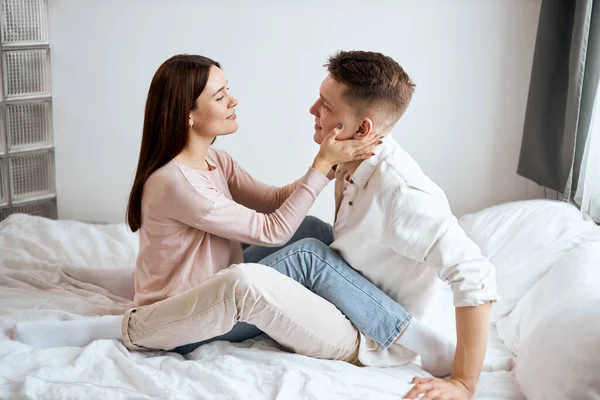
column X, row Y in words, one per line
column 72, row 333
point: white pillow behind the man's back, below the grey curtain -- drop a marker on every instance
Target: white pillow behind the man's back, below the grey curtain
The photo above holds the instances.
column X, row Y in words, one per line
column 523, row 239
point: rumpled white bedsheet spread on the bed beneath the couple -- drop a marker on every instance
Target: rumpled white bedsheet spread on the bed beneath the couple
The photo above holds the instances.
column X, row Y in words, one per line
column 32, row 287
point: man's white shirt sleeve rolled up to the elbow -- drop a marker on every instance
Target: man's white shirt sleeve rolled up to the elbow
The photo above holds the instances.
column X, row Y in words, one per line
column 422, row 228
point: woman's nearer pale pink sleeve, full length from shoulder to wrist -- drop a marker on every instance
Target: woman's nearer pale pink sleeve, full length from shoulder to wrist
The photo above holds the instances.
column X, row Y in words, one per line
column 208, row 209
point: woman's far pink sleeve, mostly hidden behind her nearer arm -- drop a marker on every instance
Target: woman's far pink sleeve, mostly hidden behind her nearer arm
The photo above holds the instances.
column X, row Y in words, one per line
column 255, row 194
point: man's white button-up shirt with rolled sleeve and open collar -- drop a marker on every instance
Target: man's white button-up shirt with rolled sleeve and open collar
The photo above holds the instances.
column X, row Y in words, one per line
column 395, row 226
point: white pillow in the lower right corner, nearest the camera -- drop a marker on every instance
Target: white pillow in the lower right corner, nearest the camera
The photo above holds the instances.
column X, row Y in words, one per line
column 555, row 329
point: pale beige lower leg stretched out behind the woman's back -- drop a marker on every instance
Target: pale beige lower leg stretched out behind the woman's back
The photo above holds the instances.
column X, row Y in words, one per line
column 118, row 281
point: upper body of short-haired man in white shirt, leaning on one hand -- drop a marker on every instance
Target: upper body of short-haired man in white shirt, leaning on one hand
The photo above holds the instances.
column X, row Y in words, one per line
column 394, row 225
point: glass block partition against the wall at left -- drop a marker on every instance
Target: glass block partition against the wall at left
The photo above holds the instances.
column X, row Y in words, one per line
column 27, row 178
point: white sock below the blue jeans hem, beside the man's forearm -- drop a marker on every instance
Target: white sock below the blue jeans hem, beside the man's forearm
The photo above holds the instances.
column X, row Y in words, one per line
column 437, row 353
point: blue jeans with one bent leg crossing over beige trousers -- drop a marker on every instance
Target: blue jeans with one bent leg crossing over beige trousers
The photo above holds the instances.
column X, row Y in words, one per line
column 308, row 259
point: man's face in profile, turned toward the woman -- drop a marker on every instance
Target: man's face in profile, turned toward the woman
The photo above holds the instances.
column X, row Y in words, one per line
column 331, row 109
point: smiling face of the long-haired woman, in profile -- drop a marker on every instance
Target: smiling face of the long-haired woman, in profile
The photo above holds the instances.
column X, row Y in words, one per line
column 214, row 114
